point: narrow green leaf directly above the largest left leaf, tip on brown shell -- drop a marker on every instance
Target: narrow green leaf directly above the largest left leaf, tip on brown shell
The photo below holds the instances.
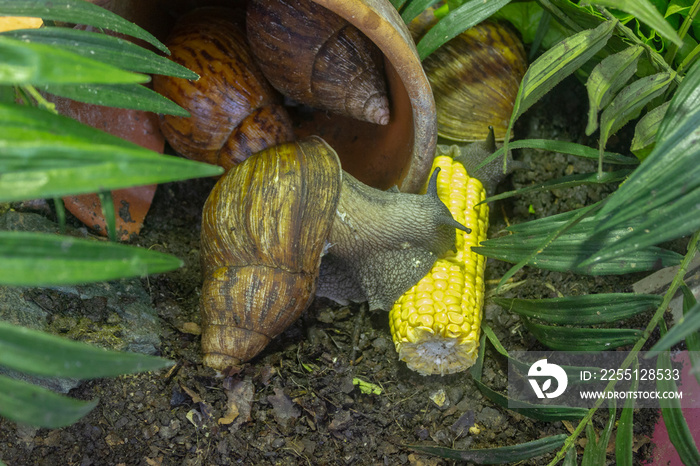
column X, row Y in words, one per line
column 132, row 96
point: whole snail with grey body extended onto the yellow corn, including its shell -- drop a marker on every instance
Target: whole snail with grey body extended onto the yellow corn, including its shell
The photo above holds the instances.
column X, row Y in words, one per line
column 269, row 220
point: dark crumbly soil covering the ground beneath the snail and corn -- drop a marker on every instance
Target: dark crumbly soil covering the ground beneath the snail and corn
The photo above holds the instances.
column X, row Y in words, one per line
column 296, row 403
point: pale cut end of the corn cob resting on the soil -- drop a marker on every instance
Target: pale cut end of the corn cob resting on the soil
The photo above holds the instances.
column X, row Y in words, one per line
column 432, row 354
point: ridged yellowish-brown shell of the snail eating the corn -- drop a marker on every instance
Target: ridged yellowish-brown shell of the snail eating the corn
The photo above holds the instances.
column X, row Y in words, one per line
column 264, row 227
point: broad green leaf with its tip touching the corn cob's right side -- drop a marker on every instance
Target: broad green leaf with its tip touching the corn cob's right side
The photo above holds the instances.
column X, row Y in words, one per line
column 571, row 249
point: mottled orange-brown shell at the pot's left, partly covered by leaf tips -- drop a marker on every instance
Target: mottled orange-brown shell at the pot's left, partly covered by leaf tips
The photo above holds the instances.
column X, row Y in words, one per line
column 235, row 112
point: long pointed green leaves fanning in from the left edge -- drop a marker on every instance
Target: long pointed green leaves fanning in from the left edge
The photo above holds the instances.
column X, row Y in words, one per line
column 47, row 155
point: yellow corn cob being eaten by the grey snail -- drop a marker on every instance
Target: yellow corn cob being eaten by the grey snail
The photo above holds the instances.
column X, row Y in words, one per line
column 435, row 325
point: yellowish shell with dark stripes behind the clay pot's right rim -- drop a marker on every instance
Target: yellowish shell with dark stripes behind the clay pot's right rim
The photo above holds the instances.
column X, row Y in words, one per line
column 475, row 79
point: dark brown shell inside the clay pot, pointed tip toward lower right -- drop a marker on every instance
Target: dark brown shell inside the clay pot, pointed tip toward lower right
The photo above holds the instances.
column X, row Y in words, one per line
column 315, row 57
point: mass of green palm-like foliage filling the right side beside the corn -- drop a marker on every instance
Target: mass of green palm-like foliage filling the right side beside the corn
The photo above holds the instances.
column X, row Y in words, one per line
column 638, row 61
